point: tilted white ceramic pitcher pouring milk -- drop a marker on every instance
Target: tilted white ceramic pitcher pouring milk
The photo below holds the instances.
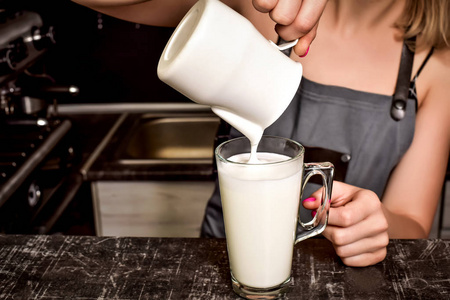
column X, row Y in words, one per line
column 216, row 57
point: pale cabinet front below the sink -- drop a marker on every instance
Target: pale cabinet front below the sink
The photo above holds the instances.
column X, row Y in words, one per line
column 150, row 209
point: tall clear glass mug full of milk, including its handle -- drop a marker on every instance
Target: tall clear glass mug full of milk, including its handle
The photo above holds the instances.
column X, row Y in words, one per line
column 261, row 211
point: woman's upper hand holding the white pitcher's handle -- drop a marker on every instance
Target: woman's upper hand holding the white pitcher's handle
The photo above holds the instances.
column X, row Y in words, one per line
column 296, row 19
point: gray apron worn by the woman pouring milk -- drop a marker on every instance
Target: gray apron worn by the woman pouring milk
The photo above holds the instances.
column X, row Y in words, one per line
column 352, row 129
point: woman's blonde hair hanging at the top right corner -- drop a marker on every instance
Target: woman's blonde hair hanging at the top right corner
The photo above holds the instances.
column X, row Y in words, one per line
column 429, row 20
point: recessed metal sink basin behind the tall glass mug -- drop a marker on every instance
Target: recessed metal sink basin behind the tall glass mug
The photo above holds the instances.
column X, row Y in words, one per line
column 187, row 138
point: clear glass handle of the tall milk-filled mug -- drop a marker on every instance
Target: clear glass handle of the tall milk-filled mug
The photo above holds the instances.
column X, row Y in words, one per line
column 319, row 222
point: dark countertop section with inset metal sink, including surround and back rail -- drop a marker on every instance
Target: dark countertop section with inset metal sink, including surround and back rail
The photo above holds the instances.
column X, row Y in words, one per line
column 161, row 141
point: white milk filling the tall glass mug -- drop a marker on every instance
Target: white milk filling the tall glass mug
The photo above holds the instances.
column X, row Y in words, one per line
column 260, row 206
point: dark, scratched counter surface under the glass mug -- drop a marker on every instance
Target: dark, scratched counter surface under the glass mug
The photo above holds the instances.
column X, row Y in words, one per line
column 69, row 267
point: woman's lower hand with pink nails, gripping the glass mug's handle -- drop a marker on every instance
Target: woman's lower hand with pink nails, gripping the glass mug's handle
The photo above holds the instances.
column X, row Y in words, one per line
column 357, row 227
